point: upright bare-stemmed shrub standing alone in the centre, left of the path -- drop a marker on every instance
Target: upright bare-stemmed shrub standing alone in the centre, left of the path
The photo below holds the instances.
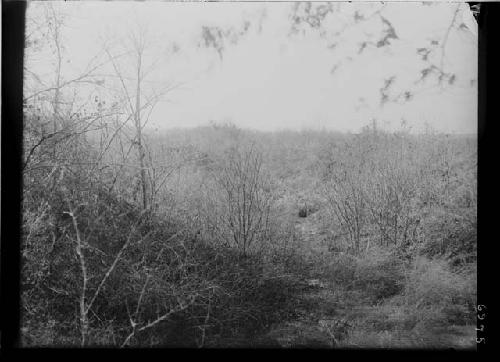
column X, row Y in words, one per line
column 238, row 206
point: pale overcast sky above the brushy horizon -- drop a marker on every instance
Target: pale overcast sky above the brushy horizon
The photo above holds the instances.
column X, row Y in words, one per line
column 271, row 79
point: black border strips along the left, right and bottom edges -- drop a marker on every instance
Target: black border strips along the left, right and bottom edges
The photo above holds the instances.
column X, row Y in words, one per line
column 13, row 24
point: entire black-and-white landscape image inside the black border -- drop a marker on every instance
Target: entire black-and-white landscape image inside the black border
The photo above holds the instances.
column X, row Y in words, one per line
column 250, row 175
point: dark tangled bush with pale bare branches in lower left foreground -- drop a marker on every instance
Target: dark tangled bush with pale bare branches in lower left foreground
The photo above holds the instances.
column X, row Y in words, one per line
column 93, row 255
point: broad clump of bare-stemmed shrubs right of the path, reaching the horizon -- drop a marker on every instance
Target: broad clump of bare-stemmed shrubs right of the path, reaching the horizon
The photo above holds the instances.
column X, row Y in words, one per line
column 382, row 187
